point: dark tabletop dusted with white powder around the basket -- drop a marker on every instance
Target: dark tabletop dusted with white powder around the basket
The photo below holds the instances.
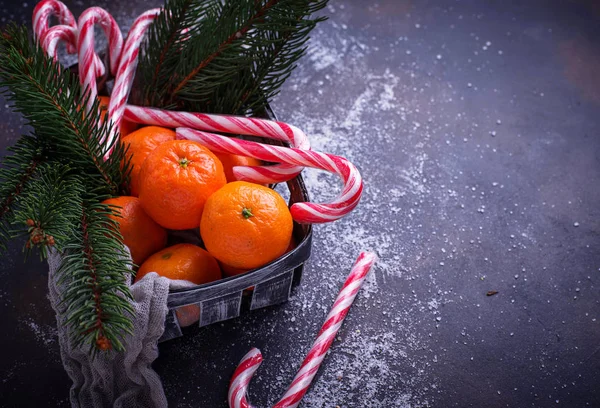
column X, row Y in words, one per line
column 475, row 125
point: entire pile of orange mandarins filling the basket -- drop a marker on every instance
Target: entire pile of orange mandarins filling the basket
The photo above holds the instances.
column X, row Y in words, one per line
column 180, row 185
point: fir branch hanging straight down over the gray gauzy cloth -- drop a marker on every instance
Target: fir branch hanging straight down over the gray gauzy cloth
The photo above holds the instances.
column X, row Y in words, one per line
column 98, row 311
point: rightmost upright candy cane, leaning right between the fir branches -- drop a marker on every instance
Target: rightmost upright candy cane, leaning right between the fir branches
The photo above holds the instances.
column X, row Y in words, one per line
column 126, row 70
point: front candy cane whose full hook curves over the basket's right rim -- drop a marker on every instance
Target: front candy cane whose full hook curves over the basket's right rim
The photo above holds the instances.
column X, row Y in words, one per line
column 301, row 212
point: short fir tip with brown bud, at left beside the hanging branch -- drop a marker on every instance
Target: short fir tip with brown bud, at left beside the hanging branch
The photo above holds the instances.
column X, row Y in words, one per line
column 49, row 209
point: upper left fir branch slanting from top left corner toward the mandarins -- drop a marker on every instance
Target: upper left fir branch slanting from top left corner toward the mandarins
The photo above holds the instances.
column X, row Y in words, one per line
column 38, row 88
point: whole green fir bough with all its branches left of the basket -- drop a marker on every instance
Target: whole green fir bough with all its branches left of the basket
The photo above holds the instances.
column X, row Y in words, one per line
column 53, row 184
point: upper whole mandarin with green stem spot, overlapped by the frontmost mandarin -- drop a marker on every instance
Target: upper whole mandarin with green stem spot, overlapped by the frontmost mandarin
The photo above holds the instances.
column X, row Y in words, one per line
column 176, row 180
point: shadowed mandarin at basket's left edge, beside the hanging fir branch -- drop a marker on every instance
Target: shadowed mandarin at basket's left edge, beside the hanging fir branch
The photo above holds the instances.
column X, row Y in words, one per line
column 140, row 233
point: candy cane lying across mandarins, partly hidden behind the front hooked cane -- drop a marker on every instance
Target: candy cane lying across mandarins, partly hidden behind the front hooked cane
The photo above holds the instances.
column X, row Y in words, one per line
column 238, row 125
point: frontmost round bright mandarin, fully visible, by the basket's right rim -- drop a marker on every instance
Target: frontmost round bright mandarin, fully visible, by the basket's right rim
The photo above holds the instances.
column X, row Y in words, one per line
column 246, row 225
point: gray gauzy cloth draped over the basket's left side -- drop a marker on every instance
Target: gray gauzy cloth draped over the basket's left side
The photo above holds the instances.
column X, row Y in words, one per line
column 121, row 380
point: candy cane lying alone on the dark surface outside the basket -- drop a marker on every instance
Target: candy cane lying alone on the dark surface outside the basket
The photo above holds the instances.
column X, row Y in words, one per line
column 238, row 388
